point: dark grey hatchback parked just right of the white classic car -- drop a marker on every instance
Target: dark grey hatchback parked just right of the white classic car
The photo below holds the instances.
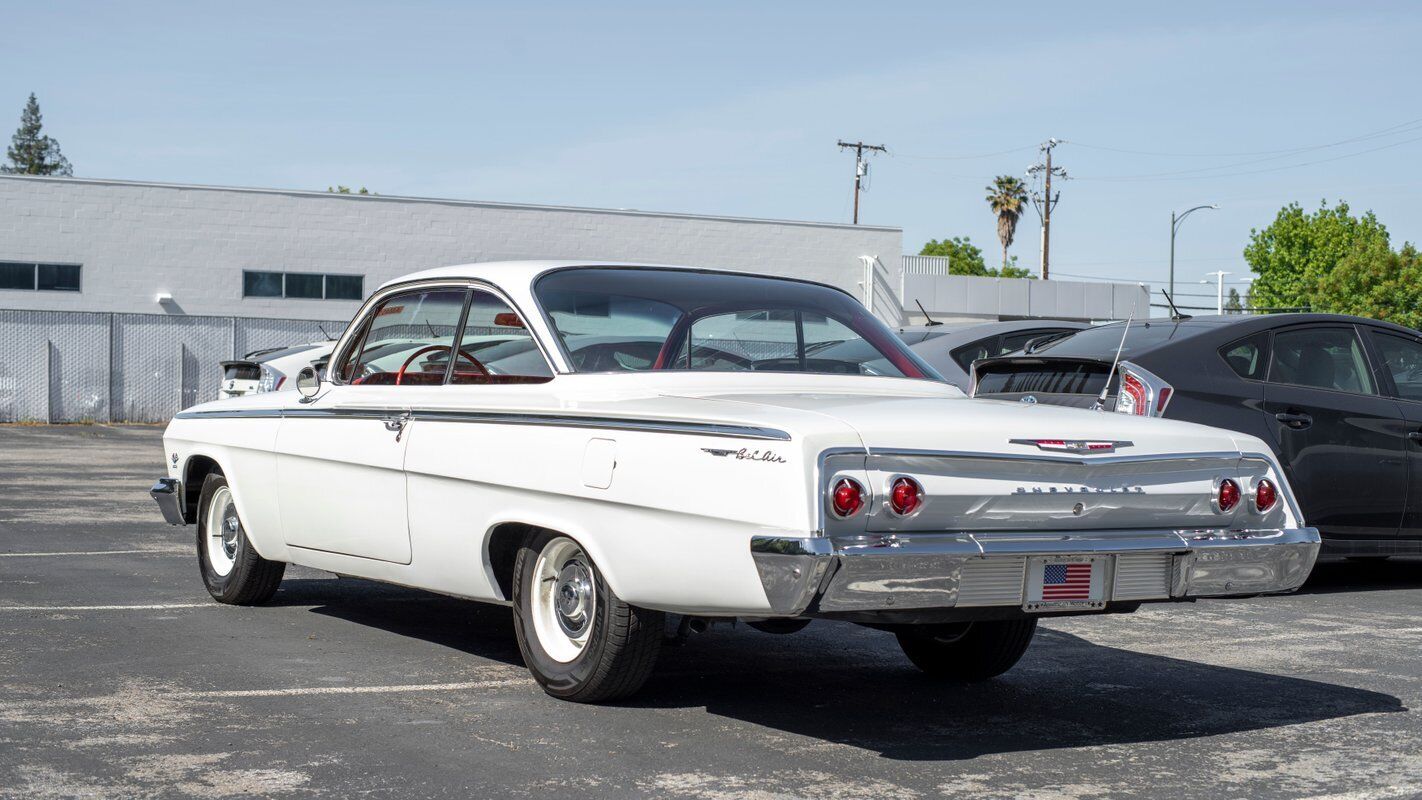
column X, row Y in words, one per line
column 1337, row 399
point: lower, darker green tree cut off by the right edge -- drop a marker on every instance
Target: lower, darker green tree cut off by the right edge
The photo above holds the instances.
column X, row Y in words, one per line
column 1374, row 282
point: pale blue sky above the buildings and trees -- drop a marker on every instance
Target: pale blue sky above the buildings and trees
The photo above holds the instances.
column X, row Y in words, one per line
column 734, row 109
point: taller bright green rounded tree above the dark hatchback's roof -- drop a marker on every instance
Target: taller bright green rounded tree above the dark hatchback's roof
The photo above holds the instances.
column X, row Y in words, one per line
column 1299, row 251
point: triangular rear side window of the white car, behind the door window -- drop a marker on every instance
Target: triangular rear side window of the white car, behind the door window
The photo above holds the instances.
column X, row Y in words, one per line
column 497, row 347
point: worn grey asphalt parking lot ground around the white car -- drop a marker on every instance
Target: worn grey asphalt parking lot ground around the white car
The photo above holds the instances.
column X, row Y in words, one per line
column 120, row 679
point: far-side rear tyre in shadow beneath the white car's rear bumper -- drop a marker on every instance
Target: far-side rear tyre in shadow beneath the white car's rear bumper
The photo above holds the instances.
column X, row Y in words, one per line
column 968, row 652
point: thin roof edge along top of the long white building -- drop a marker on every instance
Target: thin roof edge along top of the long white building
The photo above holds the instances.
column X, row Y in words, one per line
column 444, row 202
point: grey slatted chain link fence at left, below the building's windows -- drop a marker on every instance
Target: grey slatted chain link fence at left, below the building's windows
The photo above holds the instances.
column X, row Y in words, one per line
column 95, row 367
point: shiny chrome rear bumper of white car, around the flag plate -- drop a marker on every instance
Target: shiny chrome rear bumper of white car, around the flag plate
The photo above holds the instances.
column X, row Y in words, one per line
column 965, row 571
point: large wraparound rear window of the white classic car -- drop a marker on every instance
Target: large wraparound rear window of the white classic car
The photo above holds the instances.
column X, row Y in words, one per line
column 629, row 320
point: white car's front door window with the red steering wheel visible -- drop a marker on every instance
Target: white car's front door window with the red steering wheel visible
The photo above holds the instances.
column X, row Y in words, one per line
column 407, row 340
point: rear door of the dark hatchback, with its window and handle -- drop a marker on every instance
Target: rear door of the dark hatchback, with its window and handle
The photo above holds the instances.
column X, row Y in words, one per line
column 1339, row 437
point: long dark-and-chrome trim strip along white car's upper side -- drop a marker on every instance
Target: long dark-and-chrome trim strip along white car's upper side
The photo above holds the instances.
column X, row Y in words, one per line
column 503, row 418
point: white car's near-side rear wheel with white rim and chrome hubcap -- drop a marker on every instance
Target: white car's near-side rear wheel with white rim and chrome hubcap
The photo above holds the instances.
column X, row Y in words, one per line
column 578, row 639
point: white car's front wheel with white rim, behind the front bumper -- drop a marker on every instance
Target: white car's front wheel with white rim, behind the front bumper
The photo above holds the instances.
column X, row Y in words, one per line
column 231, row 568
